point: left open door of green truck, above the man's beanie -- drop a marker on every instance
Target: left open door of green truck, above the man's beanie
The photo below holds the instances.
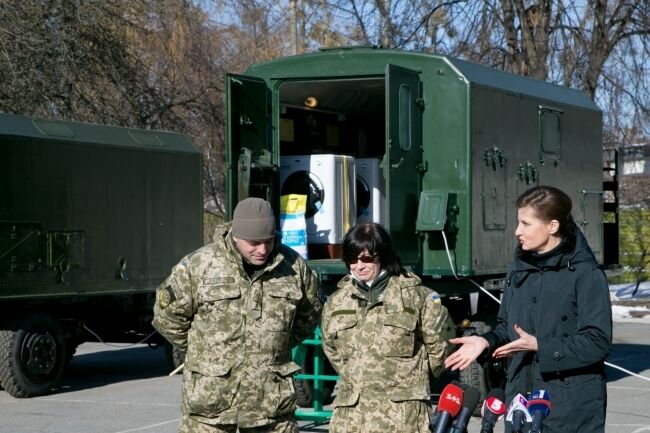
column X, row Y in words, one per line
column 251, row 171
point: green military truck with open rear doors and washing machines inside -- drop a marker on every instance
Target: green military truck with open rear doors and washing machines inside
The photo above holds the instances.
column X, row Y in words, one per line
column 440, row 149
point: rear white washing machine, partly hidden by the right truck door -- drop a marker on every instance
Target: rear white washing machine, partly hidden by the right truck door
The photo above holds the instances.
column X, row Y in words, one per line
column 371, row 196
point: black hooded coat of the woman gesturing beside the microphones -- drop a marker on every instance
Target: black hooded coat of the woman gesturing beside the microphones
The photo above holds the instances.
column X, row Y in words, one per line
column 562, row 298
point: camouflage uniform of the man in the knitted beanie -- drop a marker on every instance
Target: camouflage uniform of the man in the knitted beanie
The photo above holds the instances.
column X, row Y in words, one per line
column 238, row 333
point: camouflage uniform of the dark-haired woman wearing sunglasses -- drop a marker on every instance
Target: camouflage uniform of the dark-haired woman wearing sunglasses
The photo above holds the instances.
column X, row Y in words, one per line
column 383, row 353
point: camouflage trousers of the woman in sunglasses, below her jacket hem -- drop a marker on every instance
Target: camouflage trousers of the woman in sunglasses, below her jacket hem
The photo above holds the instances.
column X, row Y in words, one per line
column 372, row 416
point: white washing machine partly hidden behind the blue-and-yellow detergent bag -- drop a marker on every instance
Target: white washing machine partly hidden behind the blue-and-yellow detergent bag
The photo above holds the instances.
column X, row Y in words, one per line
column 329, row 183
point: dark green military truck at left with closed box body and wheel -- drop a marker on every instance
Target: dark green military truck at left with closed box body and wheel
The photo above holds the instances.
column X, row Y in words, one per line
column 92, row 218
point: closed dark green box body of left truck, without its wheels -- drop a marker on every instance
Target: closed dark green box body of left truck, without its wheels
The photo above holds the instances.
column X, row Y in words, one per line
column 91, row 214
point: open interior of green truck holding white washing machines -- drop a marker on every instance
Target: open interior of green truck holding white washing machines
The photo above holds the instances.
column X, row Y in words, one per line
column 332, row 139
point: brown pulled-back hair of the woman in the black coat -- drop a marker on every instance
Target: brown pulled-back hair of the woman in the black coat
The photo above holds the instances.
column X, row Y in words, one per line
column 550, row 203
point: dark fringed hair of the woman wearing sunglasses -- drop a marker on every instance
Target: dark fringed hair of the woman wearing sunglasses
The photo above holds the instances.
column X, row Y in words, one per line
column 376, row 240
